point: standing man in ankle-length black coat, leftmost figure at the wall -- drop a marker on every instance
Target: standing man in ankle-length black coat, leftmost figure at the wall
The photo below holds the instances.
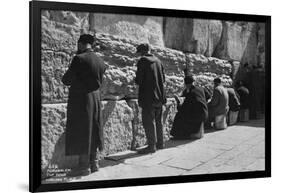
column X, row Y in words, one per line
column 84, row 134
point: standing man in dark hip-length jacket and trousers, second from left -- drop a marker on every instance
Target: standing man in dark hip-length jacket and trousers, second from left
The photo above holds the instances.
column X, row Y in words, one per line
column 150, row 78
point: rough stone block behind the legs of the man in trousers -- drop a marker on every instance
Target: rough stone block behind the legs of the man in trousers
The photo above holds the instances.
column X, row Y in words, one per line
column 139, row 138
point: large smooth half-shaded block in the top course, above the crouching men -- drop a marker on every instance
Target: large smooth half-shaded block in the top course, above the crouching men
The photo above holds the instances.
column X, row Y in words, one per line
column 200, row 36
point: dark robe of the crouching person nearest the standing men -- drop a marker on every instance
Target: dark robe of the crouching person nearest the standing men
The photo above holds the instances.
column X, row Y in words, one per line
column 190, row 114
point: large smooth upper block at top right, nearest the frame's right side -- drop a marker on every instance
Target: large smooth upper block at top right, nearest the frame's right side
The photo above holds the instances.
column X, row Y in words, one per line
column 238, row 42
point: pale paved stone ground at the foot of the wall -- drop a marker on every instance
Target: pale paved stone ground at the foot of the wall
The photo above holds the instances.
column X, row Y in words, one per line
column 238, row 148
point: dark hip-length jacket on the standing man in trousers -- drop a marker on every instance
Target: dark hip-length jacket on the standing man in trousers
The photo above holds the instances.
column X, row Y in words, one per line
column 150, row 78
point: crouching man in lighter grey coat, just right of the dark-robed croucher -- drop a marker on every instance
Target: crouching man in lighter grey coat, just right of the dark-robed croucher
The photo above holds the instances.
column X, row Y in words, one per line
column 219, row 103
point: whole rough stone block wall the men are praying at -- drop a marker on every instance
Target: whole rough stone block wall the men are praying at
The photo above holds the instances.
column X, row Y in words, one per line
column 117, row 38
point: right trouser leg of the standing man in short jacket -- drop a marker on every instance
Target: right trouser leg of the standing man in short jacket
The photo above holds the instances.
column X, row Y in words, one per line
column 159, row 128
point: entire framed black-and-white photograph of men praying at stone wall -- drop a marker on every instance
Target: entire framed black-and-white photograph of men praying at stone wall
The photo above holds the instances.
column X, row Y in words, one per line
column 126, row 96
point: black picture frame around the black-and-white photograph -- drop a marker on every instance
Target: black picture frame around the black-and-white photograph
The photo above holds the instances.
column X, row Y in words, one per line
column 35, row 8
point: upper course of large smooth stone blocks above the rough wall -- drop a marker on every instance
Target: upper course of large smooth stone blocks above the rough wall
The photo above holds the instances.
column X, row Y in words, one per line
column 239, row 41
